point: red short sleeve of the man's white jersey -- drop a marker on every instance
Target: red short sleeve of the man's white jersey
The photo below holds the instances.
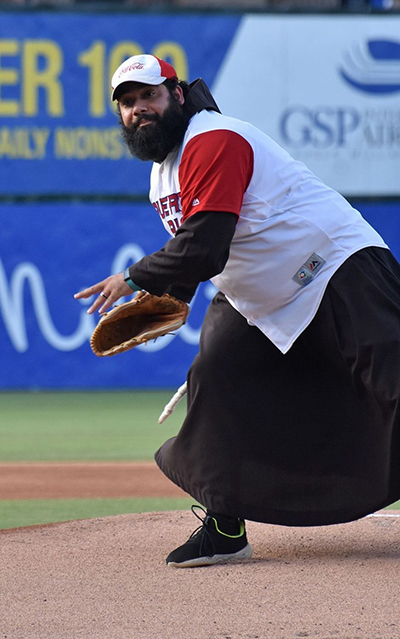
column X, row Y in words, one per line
column 214, row 173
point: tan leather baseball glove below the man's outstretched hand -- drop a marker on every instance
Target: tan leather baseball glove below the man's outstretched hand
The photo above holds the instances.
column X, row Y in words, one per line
column 138, row 321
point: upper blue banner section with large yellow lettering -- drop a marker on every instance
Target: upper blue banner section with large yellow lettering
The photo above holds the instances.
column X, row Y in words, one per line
column 58, row 128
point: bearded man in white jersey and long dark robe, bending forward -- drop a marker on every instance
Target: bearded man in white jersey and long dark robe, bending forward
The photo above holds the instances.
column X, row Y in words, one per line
column 293, row 399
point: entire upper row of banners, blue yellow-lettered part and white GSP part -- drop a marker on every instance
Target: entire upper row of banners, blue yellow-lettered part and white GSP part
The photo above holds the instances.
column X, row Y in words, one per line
column 327, row 88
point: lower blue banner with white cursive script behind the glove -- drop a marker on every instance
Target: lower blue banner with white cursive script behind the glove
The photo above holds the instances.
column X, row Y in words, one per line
column 49, row 252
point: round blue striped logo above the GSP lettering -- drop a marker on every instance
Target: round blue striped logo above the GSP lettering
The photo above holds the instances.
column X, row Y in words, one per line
column 373, row 67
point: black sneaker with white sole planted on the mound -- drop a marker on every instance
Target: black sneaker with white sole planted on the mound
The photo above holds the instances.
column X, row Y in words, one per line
column 209, row 545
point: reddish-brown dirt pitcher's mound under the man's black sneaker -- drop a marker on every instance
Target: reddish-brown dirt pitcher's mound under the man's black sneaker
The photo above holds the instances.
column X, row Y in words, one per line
column 106, row 578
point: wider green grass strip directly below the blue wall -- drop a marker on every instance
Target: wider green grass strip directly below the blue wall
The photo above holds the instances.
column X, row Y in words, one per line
column 85, row 426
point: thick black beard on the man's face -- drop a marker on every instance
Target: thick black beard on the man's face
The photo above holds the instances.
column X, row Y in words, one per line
column 154, row 141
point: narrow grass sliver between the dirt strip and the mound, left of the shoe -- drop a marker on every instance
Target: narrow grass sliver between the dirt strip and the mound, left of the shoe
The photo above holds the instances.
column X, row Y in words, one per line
column 14, row 514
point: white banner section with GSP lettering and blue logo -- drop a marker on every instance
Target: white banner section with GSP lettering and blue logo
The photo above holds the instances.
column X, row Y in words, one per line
column 327, row 89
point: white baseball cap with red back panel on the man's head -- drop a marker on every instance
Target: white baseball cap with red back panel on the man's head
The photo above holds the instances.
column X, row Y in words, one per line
column 147, row 69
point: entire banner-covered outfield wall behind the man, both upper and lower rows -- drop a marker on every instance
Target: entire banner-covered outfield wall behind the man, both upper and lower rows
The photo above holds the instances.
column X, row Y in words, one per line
column 74, row 205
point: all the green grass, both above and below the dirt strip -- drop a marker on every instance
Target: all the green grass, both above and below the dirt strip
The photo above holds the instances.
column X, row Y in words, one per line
column 84, row 426
